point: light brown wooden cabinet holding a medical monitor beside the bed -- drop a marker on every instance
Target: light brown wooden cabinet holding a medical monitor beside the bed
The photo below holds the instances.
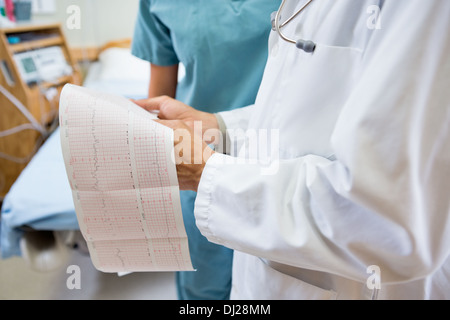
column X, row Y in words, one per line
column 18, row 140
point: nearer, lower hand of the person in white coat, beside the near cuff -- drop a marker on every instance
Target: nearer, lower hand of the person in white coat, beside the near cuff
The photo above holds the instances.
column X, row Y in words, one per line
column 191, row 154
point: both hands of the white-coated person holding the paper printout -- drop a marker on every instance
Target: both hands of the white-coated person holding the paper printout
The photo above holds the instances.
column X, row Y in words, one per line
column 191, row 143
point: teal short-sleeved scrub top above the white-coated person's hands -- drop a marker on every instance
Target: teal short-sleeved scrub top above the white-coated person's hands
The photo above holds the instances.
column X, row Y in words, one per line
column 199, row 34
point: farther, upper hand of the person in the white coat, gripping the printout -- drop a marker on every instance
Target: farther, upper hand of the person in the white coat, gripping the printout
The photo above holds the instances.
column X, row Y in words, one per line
column 170, row 109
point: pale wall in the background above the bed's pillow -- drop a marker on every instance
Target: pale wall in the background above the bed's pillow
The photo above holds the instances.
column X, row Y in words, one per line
column 100, row 20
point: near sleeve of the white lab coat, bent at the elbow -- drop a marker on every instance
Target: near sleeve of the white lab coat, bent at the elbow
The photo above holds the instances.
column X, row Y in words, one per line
column 385, row 199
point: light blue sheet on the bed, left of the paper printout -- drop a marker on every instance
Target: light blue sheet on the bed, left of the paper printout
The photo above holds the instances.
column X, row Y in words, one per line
column 41, row 198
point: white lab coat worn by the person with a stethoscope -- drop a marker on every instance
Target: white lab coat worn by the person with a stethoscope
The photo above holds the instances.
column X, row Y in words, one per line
column 364, row 176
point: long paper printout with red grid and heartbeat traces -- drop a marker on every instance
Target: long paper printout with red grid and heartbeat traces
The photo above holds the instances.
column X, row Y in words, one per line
column 124, row 183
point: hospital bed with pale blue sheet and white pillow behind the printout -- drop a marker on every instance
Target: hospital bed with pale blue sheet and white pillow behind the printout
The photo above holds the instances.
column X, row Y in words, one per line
column 38, row 220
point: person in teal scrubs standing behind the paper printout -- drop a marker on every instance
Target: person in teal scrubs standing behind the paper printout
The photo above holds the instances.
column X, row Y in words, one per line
column 223, row 47
